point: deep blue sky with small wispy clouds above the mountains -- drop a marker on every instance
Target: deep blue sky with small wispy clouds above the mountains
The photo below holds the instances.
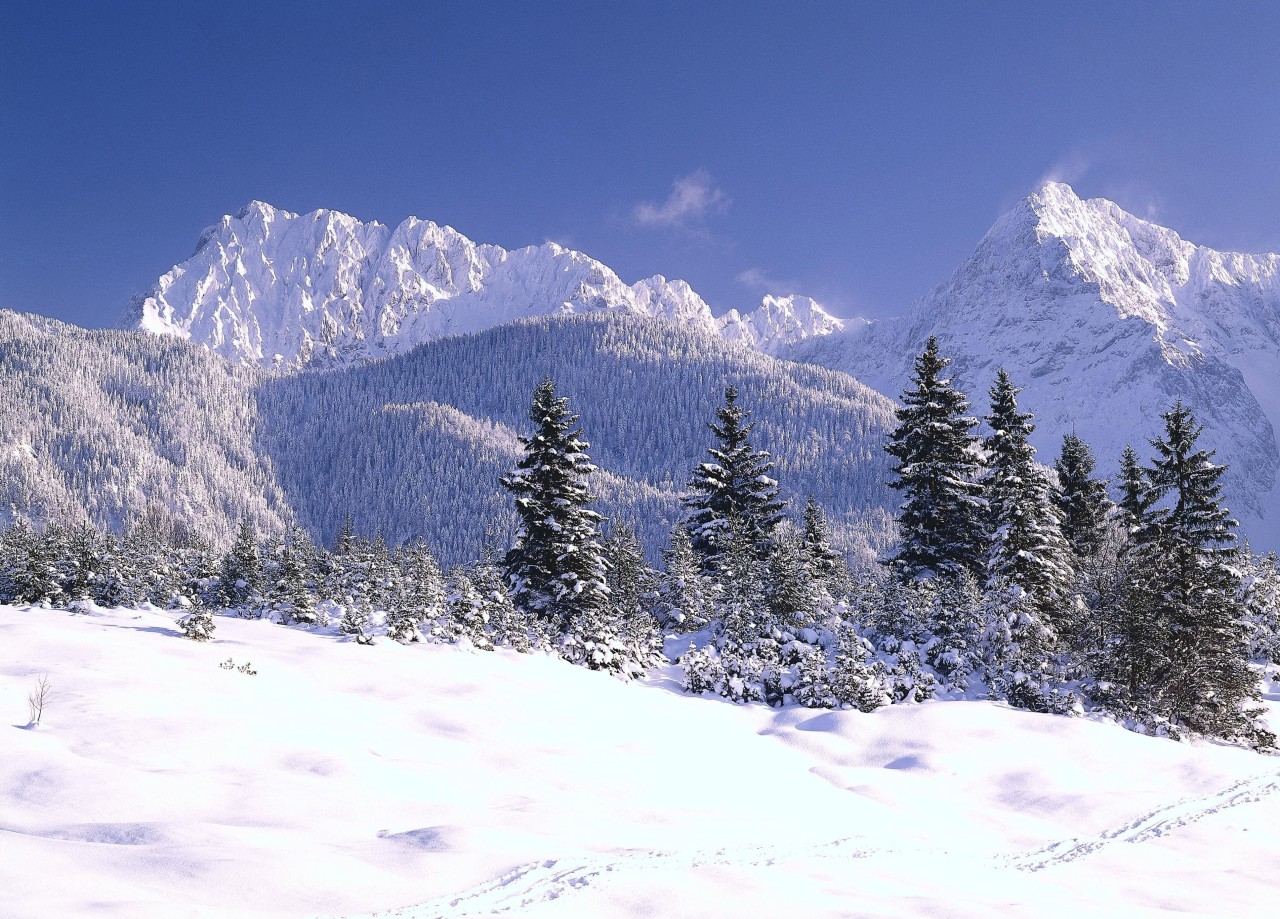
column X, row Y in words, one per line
column 851, row 152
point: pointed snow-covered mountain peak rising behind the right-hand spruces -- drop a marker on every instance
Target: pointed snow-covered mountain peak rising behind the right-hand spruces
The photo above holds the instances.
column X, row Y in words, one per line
column 1107, row 319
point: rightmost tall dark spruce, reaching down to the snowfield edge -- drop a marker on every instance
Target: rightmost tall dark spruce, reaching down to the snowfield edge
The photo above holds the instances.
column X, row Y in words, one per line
column 1210, row 687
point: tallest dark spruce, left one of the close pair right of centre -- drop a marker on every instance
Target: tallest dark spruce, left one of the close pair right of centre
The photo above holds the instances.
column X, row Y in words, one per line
column 941, row 515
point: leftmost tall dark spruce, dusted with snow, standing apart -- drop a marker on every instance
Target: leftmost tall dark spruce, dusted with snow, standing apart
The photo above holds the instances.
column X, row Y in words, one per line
column 557, row 568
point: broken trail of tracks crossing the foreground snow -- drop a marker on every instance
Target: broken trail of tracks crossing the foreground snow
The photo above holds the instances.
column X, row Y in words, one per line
column 548, row 880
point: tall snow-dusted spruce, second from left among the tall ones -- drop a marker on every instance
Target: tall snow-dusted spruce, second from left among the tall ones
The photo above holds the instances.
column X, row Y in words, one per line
column 735, row 488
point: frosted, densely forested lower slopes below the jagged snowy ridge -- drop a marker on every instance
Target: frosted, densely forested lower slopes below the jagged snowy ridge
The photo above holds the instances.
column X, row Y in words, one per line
column 115, row 426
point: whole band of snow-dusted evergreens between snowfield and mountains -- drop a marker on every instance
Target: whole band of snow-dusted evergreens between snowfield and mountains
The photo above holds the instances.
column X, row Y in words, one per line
column 1008, row 582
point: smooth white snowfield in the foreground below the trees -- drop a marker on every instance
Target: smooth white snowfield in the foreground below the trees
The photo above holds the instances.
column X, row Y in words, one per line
column 433, row 781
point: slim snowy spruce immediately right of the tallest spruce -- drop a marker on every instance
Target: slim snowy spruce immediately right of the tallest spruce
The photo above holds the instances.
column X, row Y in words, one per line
column 1027, row 547
